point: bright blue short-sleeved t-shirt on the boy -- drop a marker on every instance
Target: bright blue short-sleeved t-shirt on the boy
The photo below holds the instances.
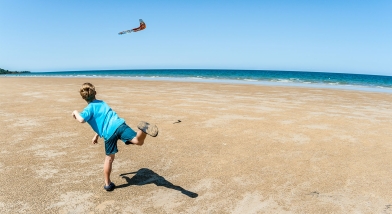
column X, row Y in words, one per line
column 101, row 118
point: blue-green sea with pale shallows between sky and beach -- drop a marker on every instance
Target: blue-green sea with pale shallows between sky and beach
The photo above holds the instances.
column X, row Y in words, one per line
column 363, row 82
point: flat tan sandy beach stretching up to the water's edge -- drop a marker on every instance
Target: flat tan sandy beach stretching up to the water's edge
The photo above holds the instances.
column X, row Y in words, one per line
column 238, row 149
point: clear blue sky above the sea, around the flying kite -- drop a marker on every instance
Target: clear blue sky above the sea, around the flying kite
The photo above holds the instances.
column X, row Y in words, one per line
column 349, row 36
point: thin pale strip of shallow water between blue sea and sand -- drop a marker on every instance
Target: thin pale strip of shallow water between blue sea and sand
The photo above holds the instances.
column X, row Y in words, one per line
column 360, row 88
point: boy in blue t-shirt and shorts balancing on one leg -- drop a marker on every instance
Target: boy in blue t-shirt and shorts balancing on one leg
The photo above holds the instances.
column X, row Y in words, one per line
column 105, row 122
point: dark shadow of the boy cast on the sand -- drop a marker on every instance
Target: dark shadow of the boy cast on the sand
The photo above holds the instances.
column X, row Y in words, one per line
column 147, row 176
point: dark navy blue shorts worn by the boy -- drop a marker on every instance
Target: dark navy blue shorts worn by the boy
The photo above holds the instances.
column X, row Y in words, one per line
column 124, row 133
